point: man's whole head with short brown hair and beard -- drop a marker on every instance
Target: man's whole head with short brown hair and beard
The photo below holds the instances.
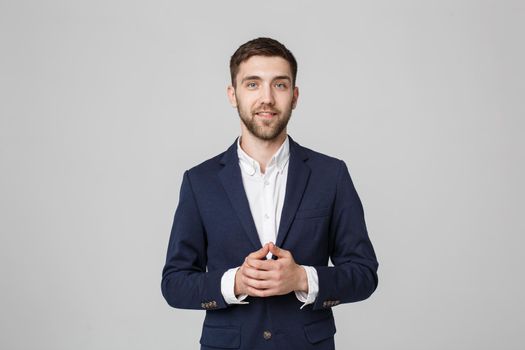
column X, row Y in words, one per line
column 263, row 73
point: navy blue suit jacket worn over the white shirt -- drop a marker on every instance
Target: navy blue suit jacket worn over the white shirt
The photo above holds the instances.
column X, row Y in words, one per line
column 213, row 231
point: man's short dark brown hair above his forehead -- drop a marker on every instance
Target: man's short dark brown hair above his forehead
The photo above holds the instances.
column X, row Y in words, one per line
column 261, row 47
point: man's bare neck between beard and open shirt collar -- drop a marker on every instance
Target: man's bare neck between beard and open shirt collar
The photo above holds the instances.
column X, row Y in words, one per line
column 261, row 150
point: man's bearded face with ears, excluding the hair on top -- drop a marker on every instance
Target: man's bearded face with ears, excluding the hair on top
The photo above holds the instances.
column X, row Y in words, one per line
column 264, row 95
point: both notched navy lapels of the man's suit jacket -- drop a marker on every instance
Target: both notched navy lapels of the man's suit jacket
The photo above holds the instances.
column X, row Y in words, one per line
column 231, row 179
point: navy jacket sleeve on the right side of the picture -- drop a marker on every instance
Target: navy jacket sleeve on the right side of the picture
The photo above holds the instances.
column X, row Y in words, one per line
column 354, row 274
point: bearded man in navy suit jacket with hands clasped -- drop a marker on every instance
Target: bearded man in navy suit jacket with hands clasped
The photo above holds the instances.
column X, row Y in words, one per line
column 256, row 224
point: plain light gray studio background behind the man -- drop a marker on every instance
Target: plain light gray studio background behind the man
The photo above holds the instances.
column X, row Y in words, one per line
column 104, row 104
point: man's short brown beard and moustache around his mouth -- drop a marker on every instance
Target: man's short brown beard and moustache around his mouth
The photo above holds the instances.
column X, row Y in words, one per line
column 262, row 128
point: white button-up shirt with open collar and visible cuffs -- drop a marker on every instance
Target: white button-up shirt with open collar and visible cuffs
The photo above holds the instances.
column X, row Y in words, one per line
column 266, row 194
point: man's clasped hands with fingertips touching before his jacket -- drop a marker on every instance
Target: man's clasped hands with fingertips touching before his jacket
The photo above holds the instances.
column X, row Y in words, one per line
column 259, row 277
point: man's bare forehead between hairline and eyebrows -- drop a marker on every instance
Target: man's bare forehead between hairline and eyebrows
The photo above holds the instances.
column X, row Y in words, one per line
column 265, row 67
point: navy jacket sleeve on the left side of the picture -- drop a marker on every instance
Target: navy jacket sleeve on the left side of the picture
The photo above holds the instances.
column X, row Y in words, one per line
column 186, row 283
